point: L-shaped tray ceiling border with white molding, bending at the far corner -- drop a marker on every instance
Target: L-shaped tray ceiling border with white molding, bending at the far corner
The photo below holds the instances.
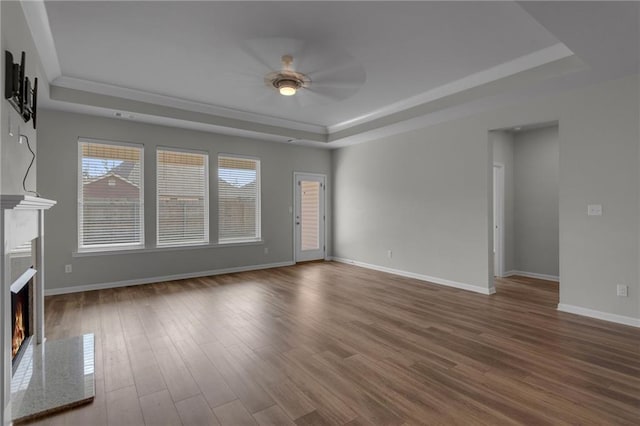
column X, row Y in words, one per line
column 441, row 109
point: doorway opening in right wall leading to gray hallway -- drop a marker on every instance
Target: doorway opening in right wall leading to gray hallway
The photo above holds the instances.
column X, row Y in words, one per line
column 525, row 194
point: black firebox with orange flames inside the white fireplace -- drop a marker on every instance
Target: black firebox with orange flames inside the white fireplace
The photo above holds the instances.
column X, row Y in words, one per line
column 21, row 320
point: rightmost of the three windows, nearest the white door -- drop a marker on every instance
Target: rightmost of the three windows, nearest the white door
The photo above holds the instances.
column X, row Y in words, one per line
column 238, row 199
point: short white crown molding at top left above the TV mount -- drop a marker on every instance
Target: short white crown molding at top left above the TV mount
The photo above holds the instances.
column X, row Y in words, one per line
column 35, row 13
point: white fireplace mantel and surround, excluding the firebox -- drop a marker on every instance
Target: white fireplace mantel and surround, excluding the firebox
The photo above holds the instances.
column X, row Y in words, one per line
column 21, row 221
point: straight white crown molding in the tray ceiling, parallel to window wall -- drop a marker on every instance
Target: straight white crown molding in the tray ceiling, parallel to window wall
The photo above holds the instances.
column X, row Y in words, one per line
column 183, row 104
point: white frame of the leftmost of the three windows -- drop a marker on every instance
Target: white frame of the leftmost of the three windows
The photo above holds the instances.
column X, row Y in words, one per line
column 108, row 247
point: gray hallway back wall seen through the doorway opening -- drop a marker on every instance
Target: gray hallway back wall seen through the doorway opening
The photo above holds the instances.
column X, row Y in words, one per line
column 536, row 201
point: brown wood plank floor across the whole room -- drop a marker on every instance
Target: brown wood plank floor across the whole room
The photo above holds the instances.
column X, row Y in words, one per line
column 328, row 343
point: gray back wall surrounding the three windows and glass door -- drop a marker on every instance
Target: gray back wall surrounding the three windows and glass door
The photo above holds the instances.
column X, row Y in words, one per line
column 57, row 179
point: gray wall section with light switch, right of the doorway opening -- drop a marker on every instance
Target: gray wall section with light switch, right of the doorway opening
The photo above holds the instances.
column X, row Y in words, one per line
column 599, row 142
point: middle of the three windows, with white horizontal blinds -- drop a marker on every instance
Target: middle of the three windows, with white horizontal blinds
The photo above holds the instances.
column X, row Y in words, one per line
column 183, row 203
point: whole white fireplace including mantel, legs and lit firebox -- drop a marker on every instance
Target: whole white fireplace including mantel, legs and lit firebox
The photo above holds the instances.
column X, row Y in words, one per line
column 21, row 298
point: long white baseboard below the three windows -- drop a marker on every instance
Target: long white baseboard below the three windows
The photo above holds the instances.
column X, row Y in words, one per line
column 150, row 280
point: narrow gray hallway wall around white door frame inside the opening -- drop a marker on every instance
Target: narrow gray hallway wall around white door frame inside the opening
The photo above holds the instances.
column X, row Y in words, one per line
column 503, row 154
